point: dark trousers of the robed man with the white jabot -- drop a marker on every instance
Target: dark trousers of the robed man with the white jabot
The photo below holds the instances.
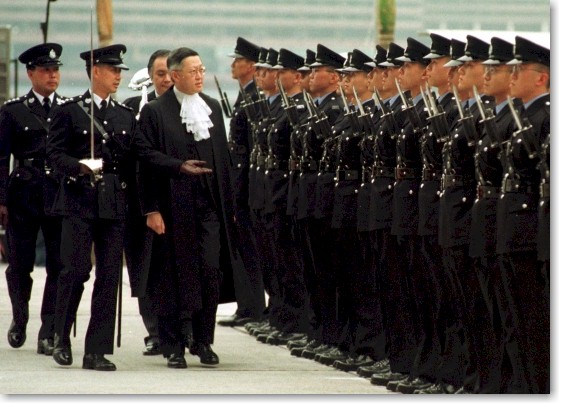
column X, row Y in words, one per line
column 173, row 328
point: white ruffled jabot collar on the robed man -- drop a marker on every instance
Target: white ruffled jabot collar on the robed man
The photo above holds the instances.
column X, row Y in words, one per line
column 195, row 113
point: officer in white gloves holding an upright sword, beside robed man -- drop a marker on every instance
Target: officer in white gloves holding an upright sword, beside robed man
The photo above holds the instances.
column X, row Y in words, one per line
column 92, row 201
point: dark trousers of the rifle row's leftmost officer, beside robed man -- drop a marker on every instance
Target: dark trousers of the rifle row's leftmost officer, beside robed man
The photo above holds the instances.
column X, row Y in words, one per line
column 248, row 280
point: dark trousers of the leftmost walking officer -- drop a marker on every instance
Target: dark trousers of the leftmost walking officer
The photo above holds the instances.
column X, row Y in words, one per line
column 21, row 238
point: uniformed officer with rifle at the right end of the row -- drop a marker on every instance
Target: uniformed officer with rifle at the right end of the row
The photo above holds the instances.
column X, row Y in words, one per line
column 526, row 284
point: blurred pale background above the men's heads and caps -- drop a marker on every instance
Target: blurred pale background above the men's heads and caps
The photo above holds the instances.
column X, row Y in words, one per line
column 212, row 26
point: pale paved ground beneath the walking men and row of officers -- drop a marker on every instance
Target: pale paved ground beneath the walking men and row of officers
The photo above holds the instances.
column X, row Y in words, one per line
column 246, row 366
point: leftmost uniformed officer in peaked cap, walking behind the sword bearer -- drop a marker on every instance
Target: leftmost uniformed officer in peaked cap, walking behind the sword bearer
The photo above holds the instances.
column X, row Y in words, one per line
column 26, row 194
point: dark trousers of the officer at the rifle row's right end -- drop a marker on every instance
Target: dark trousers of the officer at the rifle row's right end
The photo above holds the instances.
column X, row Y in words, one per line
column 526, row 328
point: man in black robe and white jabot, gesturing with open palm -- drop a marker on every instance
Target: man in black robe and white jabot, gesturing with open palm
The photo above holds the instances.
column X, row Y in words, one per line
column 186, row 193
